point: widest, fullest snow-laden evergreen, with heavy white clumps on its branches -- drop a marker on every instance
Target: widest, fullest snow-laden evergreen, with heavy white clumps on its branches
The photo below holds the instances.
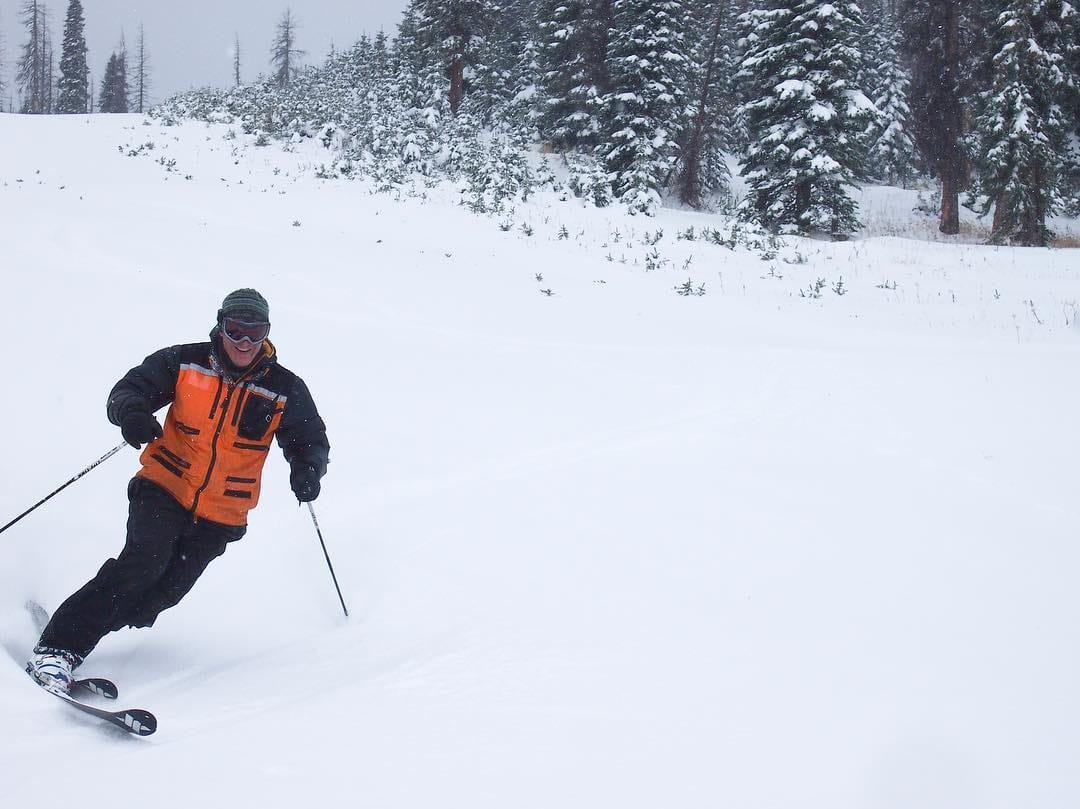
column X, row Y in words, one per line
column 805, row 117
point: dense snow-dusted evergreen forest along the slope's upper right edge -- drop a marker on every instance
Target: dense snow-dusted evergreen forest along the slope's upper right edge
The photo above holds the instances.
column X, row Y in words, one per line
column 649, row 99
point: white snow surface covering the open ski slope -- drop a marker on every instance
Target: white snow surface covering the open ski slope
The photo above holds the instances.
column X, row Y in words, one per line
column 610, row 547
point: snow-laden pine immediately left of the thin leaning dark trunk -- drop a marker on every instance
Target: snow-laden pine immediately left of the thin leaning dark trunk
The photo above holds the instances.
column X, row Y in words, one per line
column 644, row 109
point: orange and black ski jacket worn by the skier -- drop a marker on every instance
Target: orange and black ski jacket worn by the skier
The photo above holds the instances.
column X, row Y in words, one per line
column 219, row 430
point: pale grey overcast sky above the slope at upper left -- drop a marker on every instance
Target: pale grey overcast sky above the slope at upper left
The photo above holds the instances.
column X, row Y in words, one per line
column 191, row 42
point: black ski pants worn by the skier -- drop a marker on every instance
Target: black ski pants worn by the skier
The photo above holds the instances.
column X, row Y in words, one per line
column 167, row 551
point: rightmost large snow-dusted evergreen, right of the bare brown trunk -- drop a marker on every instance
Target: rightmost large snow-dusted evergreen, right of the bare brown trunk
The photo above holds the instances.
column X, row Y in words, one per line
column 1022, row 131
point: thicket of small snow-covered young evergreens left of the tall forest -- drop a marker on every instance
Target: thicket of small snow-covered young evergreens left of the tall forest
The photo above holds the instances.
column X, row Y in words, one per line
column 376, row 127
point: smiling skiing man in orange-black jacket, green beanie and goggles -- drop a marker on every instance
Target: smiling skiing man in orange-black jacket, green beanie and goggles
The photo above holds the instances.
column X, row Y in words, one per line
column 201, row 475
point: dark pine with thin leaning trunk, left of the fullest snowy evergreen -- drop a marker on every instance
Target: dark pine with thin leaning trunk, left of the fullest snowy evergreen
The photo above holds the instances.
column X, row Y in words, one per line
column 703, row 169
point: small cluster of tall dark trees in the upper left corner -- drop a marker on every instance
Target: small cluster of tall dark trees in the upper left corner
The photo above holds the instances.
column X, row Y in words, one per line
column 46, row 88
